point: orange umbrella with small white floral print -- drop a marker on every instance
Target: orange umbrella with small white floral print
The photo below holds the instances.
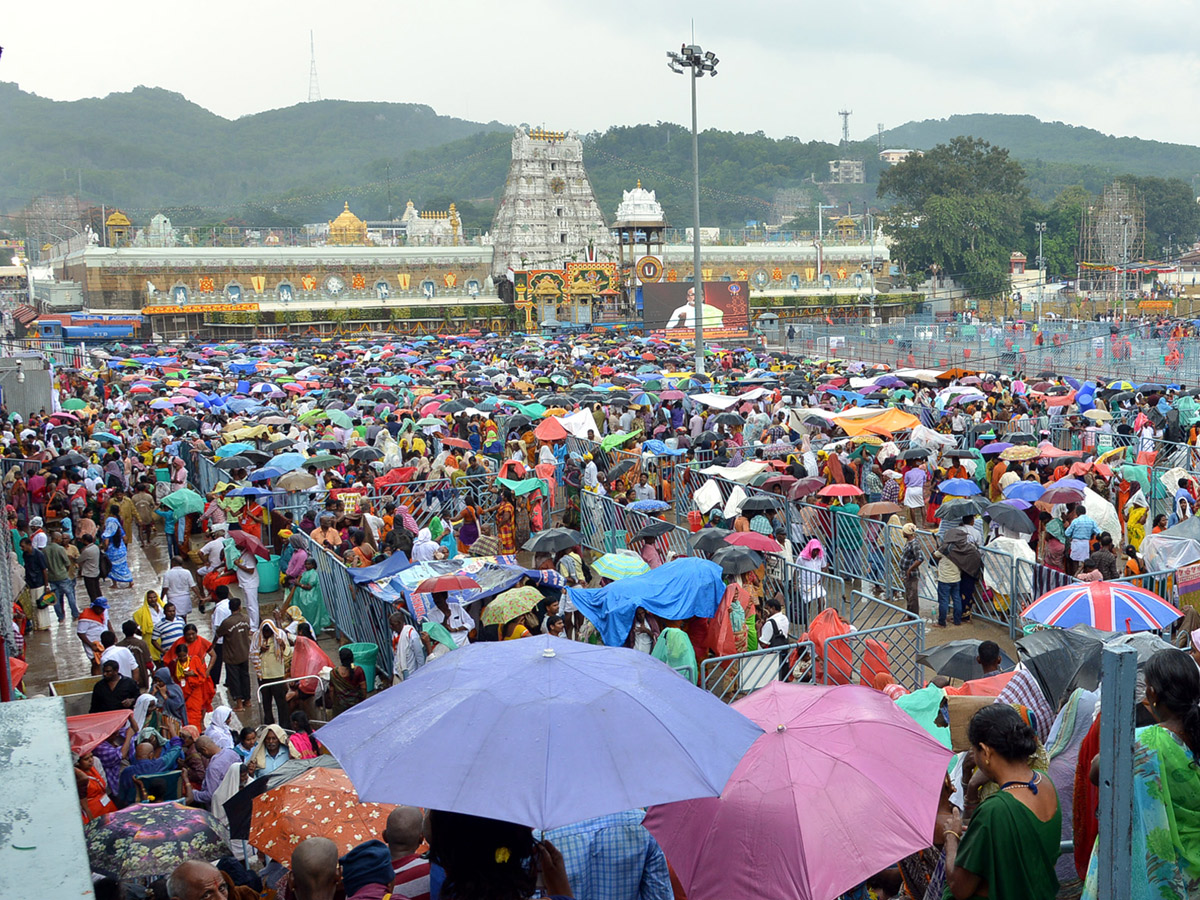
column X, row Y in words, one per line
column 321, row 803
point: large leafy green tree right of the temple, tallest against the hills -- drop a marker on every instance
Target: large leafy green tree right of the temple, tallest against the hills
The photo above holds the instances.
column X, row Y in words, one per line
column 959, row 208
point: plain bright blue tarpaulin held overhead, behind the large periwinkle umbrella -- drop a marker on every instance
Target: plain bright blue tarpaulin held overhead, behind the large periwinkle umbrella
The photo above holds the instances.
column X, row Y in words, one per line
column 681, row 590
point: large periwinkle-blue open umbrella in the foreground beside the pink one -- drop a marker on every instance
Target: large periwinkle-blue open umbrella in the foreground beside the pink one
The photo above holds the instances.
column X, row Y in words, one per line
column 529, row 718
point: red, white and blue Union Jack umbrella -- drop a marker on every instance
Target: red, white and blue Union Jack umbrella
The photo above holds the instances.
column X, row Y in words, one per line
column 1107, row 605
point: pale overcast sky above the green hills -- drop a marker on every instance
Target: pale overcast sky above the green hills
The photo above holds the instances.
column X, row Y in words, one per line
column 787, row 68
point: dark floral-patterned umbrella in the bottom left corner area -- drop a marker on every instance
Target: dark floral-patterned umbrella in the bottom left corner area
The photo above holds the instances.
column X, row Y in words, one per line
column 151, row 839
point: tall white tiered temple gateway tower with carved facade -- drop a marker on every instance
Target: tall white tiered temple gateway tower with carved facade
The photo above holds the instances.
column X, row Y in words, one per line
column 549, row 214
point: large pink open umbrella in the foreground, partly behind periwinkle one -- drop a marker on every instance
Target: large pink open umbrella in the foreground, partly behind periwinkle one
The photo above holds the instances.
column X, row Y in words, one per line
column 842, row 785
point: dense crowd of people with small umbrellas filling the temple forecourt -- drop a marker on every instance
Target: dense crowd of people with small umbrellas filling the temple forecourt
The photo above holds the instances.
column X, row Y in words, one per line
column 501, row 451
